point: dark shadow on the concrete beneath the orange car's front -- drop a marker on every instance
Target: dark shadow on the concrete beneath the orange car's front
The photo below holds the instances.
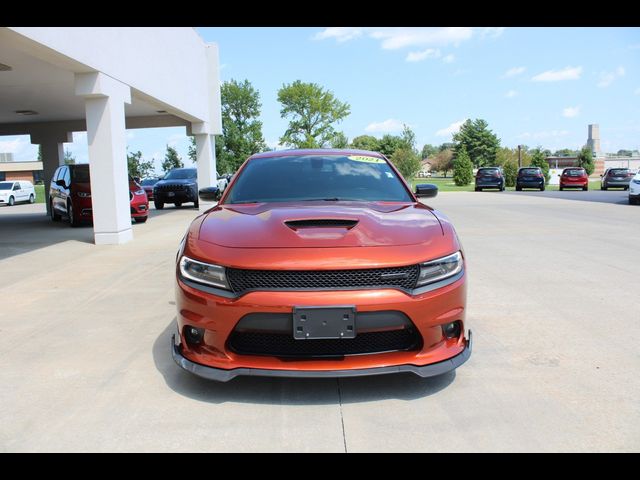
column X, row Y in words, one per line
column 291, row 391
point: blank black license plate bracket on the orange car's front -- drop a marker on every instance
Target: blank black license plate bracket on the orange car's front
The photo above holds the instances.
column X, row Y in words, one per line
column 324, row 323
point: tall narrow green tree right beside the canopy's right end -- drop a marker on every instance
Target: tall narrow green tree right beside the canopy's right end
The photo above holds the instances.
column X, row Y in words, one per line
column 241, row 129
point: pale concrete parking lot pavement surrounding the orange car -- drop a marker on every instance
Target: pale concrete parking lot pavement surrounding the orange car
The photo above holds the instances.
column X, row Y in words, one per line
column 85, row 363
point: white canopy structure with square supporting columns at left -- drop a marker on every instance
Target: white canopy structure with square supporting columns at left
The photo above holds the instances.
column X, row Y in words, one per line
column 55, row 81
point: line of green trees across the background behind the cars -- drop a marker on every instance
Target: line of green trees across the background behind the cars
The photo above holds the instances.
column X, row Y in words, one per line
column 313, row 113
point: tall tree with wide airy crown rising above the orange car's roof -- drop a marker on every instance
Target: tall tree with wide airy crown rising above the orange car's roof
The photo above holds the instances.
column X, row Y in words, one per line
column 312, row 112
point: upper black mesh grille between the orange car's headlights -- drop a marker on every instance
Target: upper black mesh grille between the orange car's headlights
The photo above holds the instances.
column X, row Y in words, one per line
column 395, row 277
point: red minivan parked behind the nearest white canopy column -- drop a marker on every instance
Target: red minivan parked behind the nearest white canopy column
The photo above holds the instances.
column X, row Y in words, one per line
column 70, row 196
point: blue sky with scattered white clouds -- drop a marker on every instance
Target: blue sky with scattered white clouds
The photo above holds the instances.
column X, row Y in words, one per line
column 534, row 86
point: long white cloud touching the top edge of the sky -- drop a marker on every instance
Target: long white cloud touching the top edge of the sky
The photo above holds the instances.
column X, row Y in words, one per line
column 392, row 38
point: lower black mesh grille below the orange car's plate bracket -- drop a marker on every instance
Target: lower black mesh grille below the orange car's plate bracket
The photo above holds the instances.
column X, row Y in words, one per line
column 284, row 345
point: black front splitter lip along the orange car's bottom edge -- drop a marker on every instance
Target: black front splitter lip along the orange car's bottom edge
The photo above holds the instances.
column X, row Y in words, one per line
column 222, row 375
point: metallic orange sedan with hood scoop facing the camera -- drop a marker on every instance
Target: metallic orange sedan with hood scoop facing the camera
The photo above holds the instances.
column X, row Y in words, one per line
column 320, row 263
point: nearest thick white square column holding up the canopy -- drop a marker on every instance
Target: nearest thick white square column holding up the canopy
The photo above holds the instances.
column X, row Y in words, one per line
column 106, row 135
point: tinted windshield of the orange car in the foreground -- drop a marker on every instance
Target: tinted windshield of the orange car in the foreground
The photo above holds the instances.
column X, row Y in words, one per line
column 318, row 178
